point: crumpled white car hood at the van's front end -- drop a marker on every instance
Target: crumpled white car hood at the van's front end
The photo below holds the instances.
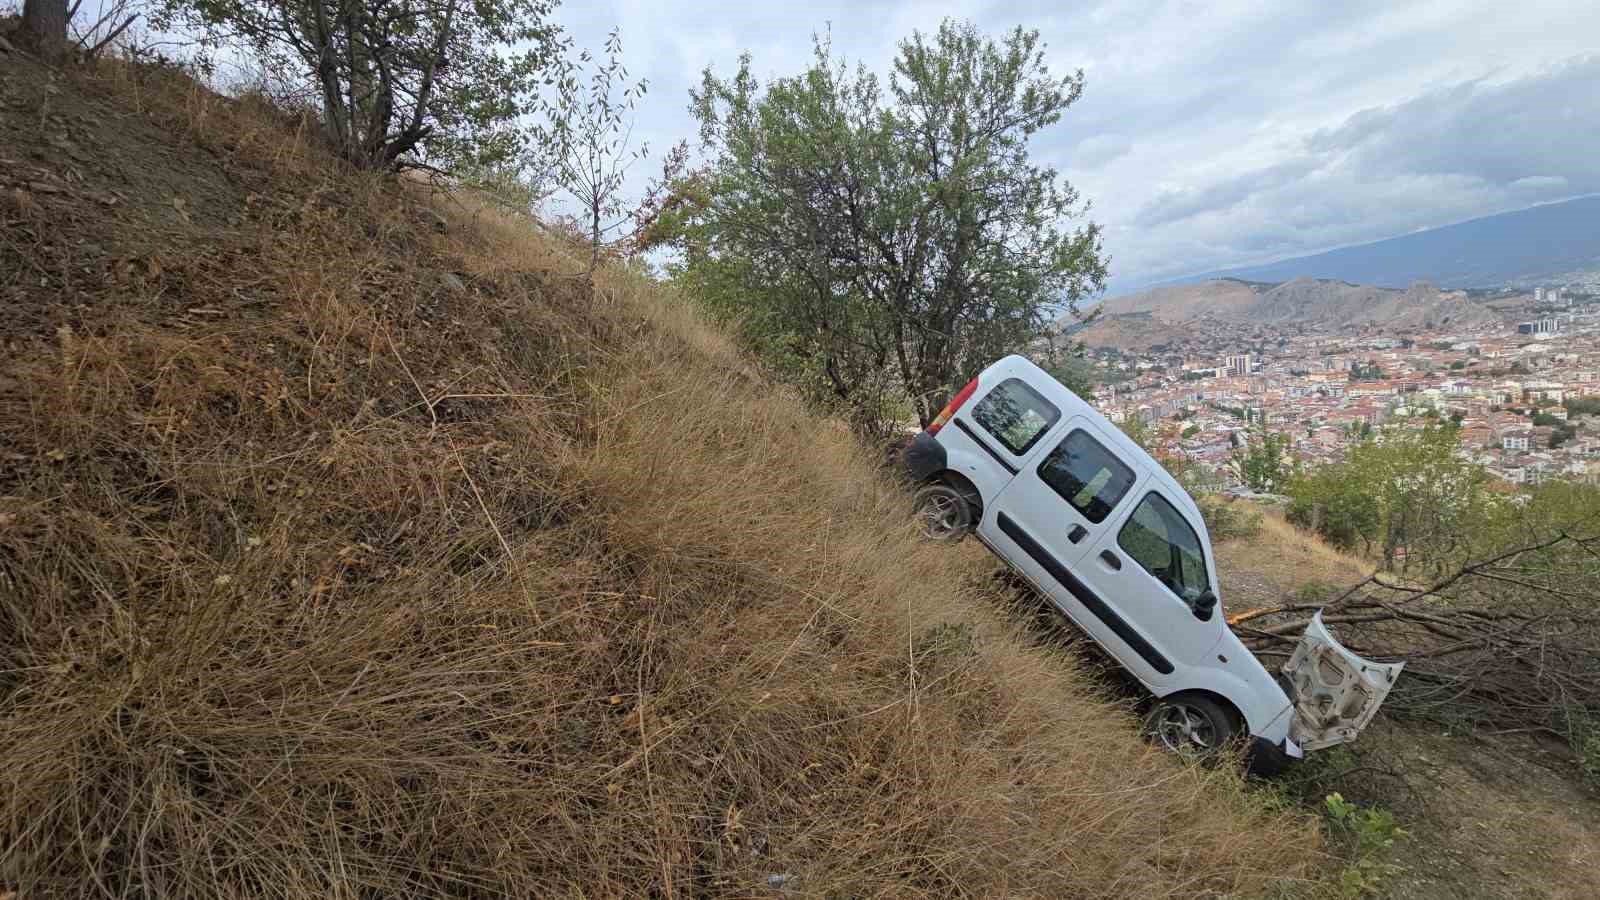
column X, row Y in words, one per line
column 1334, row 691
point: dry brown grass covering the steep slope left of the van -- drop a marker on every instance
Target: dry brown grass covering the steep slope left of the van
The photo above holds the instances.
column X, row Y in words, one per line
column 367, row 589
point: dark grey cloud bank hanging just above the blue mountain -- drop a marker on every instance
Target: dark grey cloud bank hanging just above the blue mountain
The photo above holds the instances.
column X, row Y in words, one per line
column 1449, row 155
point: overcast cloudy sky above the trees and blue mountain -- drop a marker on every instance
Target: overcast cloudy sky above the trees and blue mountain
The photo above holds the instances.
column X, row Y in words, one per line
column 1220, row 134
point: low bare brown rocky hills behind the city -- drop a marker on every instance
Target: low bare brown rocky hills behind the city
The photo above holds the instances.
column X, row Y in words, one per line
column 1218, row 308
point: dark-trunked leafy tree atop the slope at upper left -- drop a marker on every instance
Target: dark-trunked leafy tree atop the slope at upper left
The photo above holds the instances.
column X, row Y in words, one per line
column 446, row 81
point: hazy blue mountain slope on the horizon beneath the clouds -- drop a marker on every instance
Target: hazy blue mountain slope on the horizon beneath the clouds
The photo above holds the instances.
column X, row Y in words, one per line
column 1521, row 249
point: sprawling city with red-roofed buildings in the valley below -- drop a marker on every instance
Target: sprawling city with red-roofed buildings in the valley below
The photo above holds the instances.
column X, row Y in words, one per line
column 1518, row 388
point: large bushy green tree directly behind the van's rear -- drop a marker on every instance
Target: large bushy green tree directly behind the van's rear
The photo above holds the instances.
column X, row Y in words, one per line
column 882, row 241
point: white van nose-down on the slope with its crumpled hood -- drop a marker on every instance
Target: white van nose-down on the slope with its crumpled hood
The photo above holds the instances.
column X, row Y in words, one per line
column 1102, row 529
